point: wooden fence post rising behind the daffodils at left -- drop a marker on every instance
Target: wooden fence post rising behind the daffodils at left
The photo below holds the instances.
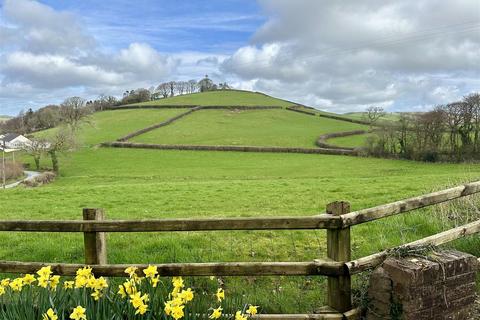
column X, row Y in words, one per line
column 94, row 242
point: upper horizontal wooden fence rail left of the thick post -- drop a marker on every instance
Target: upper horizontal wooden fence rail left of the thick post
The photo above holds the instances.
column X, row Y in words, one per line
column 322, row 221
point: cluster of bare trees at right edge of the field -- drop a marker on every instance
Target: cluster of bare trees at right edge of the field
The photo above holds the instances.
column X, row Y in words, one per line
column 450, row 132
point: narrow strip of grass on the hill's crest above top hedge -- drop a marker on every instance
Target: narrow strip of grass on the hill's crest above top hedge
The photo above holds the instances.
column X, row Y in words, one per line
column 220, row 98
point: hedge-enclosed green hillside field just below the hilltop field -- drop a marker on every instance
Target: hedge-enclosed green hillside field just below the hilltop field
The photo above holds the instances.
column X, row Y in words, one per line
column 247, row 127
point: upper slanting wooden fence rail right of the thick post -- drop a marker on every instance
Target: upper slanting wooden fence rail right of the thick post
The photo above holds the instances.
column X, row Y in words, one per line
column 394, row 208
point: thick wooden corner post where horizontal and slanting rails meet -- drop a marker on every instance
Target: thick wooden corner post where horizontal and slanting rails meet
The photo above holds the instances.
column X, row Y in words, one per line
column 338, row 249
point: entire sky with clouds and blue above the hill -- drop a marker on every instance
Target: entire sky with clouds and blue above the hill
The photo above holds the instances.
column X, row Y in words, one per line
column 338, row 56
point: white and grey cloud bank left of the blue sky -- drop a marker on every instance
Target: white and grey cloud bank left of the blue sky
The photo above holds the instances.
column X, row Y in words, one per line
column 47, row 49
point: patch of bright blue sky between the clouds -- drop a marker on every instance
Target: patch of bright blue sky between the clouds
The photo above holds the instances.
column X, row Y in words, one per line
column 169, row 26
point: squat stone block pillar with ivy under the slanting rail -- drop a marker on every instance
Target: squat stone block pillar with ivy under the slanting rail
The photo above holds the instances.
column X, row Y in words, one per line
column 439, row 287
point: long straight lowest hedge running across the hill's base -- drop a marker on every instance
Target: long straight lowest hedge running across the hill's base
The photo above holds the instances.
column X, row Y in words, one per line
column 120, row 144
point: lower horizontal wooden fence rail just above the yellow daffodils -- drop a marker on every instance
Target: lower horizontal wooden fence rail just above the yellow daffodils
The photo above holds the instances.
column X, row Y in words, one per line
column 317, row 267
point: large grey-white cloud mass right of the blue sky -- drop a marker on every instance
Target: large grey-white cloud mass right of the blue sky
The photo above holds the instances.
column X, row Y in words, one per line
column 345, row 55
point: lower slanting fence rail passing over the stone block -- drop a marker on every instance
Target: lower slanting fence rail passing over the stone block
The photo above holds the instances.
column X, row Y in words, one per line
column 374, row 260
